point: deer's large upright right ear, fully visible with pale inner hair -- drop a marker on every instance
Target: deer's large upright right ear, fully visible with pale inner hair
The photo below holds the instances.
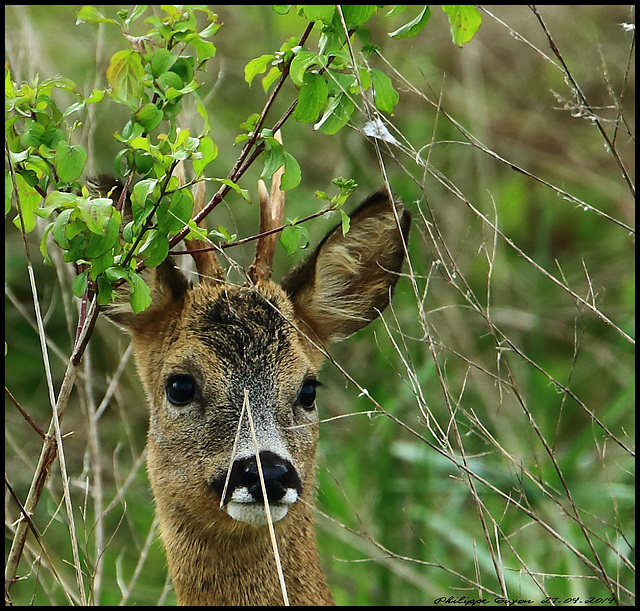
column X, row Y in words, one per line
column 348, row 280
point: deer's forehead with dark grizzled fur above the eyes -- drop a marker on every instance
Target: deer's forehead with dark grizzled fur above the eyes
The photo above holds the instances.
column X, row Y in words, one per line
column 229, row 333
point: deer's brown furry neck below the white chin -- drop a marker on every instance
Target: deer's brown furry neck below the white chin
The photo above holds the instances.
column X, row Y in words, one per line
column 210, row 568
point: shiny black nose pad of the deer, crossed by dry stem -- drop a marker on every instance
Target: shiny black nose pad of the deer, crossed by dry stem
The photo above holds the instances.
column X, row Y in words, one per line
column 278, row 473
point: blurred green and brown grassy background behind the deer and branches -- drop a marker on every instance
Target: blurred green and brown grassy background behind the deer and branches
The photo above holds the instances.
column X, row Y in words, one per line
column 375, row 477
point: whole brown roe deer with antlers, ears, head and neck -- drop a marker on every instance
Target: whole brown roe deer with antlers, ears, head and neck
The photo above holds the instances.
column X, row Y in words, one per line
column 231, row 374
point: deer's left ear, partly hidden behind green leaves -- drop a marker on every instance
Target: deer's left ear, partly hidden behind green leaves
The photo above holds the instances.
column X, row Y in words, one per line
column 168, row 287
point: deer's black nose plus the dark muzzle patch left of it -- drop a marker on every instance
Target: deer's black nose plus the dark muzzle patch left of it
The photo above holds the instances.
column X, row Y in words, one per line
column 279, row 476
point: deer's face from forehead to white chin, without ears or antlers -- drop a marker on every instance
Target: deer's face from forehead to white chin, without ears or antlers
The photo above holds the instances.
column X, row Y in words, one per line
column 231, row 350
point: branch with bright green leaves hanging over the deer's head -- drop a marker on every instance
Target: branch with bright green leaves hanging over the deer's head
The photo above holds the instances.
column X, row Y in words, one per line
column 111, row 231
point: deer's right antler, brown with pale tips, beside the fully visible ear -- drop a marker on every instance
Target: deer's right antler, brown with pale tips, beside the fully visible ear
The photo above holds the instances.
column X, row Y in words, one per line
column 271, row 215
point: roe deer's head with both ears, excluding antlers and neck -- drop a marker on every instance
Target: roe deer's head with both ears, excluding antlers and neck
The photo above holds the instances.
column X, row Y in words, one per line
column 231, row 371
